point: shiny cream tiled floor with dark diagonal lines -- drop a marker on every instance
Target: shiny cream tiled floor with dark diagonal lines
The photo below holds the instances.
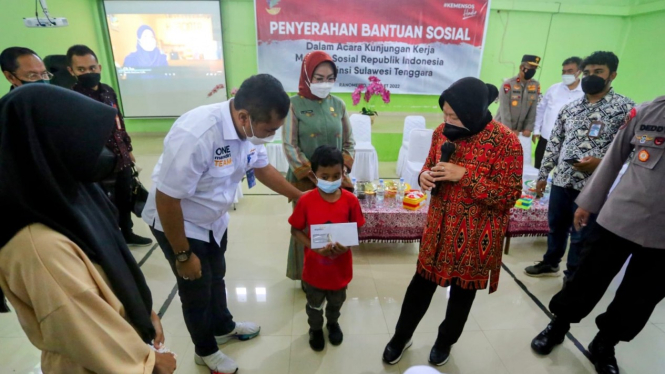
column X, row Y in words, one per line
column 496, row 337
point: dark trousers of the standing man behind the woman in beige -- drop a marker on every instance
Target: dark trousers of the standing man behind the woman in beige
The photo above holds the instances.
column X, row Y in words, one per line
column 119, row 190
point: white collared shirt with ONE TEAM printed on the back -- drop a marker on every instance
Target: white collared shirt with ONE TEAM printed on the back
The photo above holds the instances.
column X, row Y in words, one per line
column 203, row 162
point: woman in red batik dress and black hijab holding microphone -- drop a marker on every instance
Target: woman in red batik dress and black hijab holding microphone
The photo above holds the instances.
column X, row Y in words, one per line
column 468, row 215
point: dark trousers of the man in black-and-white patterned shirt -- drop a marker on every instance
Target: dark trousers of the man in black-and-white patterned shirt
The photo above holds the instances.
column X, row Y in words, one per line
column 561, row 212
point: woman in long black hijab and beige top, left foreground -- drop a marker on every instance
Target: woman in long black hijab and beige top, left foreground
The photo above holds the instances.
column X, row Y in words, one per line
column 64, row 266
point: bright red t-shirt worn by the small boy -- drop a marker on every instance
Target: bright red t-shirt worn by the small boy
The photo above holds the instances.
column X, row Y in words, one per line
column 322, row 272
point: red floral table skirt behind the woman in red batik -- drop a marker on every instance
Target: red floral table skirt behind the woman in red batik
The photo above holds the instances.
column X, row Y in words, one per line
column 388, row 222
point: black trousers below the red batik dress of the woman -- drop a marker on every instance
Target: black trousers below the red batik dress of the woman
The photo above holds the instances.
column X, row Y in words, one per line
column 416, row 302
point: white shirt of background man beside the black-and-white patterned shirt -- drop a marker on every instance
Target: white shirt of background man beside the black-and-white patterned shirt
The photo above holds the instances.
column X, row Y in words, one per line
column 549, row 107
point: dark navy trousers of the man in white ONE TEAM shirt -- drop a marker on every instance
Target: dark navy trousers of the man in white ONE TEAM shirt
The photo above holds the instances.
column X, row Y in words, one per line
column 203, row 300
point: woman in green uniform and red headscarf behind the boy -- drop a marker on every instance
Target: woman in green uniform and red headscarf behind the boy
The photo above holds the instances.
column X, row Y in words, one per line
column 316, row 118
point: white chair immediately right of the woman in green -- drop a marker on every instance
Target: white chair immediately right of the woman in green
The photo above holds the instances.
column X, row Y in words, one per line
column 366, row 163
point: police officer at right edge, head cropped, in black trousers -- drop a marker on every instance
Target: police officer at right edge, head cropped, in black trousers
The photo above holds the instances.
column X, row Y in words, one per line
column 629, row 225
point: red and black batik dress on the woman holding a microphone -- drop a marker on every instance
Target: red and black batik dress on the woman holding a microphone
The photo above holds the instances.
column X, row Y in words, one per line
column 467, row 220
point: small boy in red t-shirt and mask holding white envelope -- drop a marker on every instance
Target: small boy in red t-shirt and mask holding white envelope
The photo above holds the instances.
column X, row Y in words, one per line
column 326, row 271
